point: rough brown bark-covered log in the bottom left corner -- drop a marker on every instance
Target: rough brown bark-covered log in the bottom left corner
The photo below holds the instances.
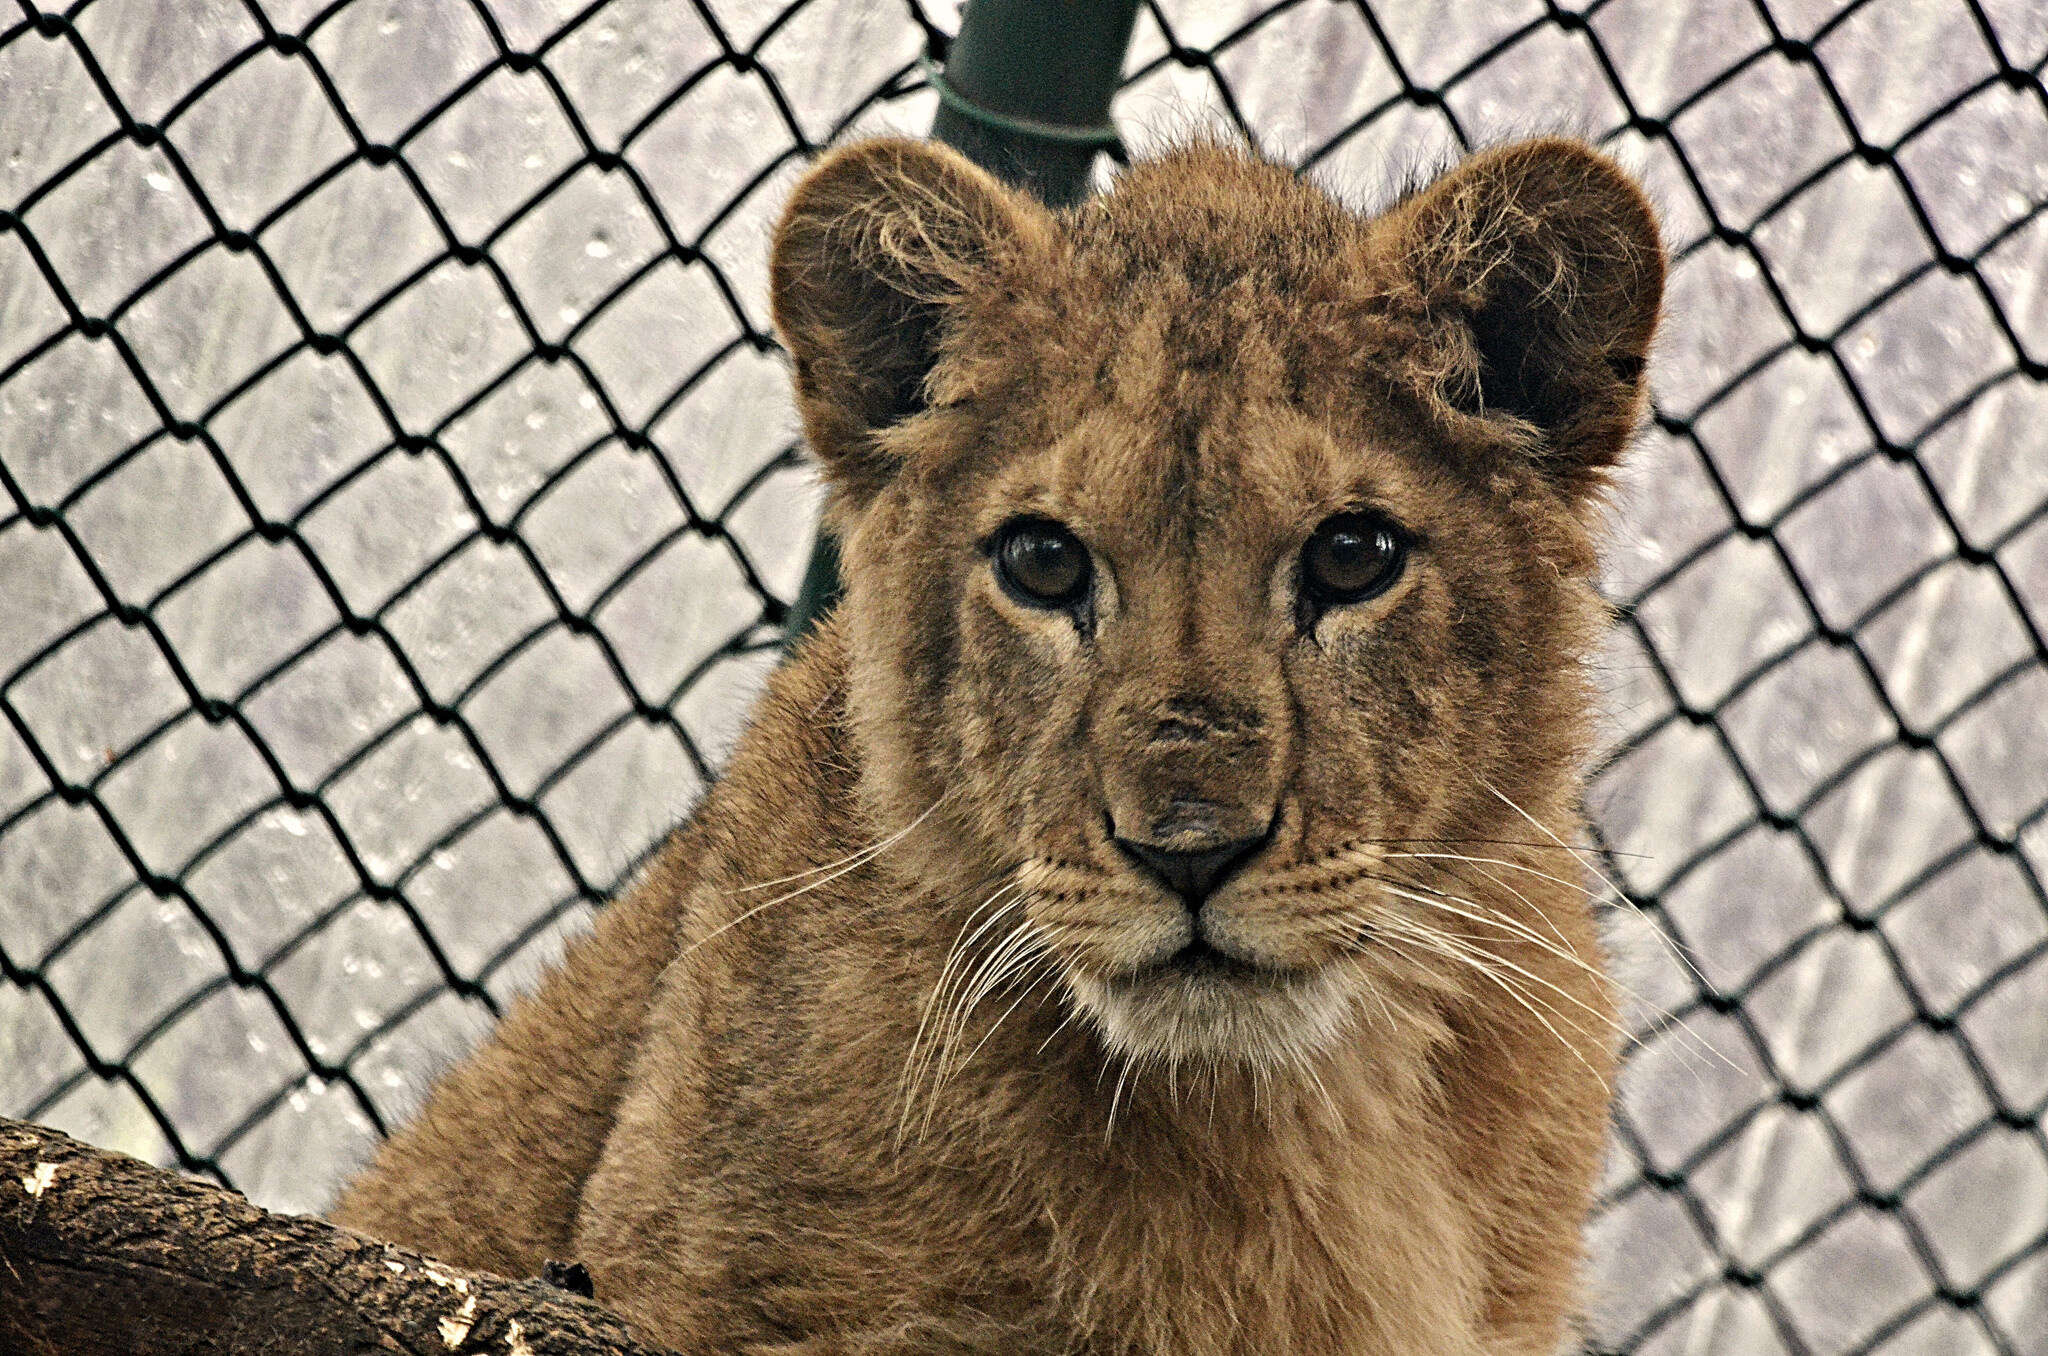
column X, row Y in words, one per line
column 105, row 1255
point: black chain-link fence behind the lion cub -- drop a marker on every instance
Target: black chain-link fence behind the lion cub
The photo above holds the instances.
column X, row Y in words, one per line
column 402, row 501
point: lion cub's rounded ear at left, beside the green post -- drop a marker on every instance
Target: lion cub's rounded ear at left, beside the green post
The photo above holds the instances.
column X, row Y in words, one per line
column 880, row 245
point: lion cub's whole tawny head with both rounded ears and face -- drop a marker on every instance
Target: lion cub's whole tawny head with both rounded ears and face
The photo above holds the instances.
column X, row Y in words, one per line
column 1209, row 540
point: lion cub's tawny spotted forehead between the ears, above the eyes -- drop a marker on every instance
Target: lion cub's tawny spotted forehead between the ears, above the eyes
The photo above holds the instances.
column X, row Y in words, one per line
column 1199, row 376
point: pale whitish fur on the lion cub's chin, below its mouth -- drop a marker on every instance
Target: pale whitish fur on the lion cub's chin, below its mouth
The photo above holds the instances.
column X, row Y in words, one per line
column 1209, row 1019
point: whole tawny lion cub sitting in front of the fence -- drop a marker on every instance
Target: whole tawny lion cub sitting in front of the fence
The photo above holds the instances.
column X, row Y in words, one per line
column 1140, row 921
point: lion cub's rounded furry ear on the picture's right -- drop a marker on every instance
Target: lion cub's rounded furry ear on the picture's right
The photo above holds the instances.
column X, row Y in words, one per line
column 1547, row 265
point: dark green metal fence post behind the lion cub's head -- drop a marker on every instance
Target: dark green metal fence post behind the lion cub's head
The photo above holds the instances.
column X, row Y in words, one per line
column 1025, row 95
